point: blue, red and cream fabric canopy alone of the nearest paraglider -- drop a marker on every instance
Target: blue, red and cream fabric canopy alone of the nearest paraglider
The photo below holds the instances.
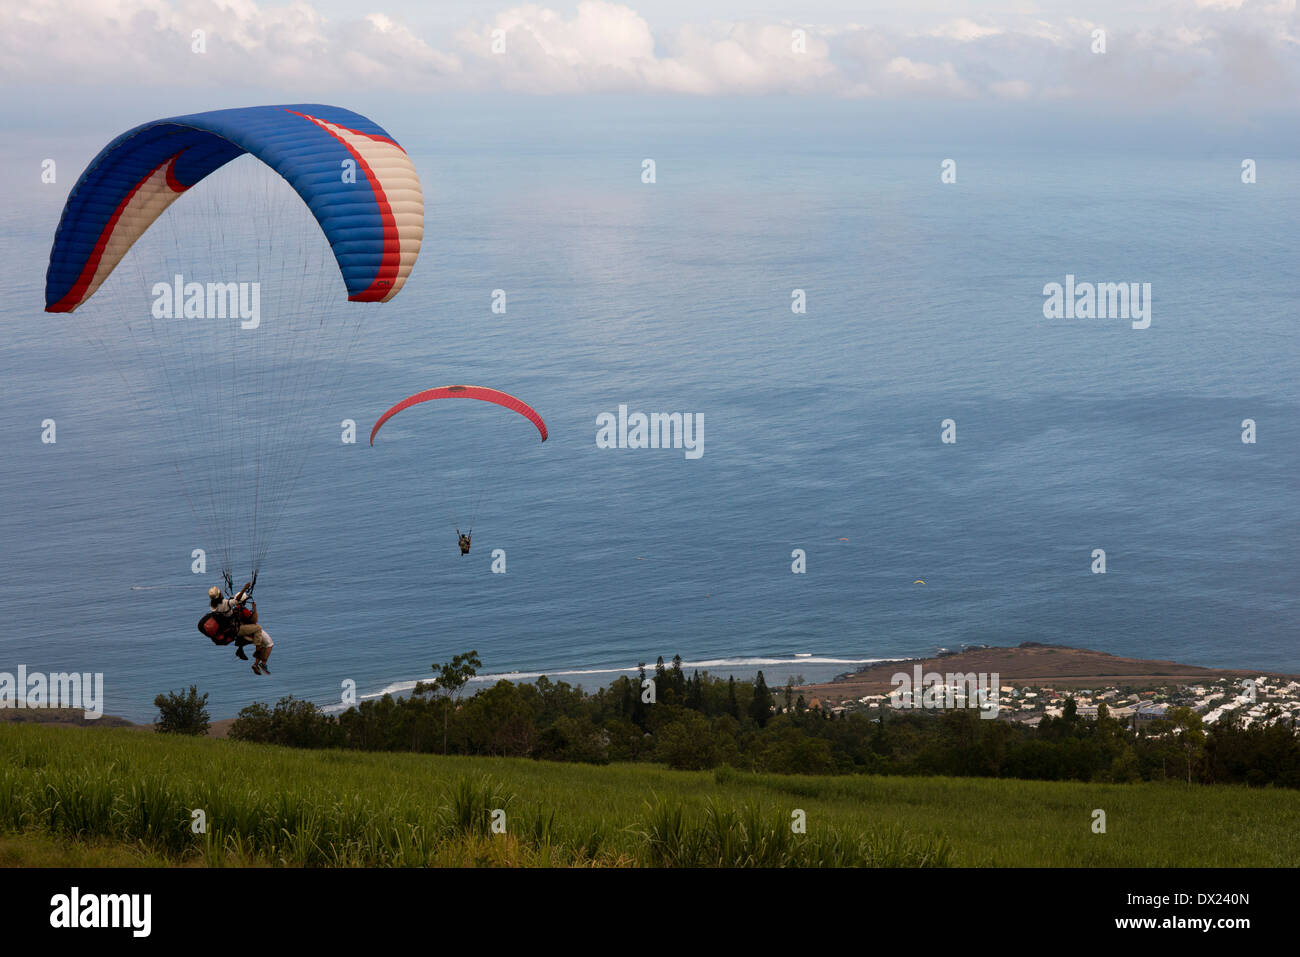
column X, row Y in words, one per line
column 358, row 183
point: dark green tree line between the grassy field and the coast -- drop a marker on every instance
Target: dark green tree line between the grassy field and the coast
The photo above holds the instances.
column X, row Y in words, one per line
column 701, row 722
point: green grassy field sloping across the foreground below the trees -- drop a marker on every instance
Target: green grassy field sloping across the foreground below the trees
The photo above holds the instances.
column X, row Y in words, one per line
column 88, row 798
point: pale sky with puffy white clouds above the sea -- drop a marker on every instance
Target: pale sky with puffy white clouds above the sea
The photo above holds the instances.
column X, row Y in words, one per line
column 1225, row 57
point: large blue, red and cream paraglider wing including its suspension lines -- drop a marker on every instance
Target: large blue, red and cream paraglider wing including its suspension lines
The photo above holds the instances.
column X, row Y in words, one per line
column 289, row 197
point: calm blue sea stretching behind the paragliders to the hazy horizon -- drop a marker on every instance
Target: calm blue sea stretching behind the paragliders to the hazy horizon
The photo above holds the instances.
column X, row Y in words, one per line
column 924, row 304
